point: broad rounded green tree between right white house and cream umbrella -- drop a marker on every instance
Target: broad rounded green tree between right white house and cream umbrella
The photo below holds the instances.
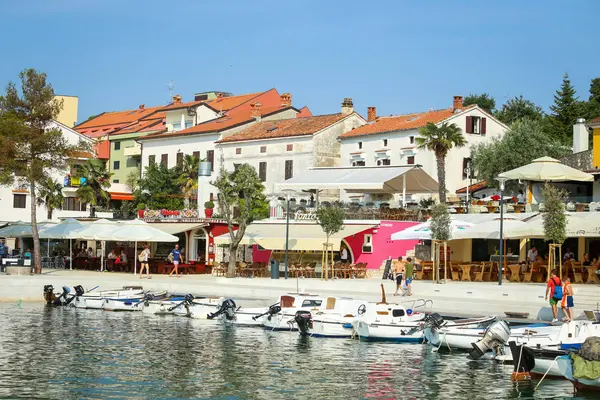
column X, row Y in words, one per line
column 522, row 143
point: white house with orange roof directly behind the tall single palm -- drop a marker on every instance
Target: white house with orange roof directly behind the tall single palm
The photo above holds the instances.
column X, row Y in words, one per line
column 392, row 141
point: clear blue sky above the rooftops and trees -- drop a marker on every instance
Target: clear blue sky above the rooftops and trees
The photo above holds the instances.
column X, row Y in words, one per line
column 401, row 56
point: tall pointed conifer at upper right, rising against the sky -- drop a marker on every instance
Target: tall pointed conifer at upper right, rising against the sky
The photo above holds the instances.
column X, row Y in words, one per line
column 565, row 111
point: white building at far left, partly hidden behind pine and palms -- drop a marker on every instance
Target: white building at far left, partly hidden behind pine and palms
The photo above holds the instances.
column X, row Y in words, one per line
column 15, row 202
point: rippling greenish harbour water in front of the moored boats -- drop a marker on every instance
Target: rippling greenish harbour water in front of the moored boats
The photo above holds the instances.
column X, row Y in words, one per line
column 69, row 353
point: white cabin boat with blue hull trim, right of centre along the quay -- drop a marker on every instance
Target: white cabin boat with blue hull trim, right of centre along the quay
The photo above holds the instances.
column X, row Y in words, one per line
column 387, row 321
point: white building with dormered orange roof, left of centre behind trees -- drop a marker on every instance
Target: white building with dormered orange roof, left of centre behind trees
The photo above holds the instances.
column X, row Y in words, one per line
column 207, row 123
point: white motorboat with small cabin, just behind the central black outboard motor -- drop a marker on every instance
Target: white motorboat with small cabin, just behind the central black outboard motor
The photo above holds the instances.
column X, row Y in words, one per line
column 289, row 305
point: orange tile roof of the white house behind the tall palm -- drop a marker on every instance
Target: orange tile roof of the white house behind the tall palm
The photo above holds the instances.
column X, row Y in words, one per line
column 401, row 122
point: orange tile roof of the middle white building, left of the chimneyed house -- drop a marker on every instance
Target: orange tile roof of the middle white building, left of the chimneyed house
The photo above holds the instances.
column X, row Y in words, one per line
column 285, row 128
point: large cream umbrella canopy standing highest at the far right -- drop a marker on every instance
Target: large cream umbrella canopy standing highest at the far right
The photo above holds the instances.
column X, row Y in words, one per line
column 547, row 169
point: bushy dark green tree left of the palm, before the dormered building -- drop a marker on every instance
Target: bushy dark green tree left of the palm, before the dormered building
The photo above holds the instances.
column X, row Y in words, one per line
column 159, row 188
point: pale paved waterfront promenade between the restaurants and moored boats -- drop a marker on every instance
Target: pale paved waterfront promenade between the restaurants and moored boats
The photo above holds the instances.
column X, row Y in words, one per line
column 469, row 298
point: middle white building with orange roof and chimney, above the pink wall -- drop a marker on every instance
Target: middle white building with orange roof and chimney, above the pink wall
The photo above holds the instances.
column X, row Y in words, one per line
column 281, row 149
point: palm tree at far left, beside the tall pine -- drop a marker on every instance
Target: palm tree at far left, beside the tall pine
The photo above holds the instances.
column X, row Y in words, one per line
column 97, row 180
